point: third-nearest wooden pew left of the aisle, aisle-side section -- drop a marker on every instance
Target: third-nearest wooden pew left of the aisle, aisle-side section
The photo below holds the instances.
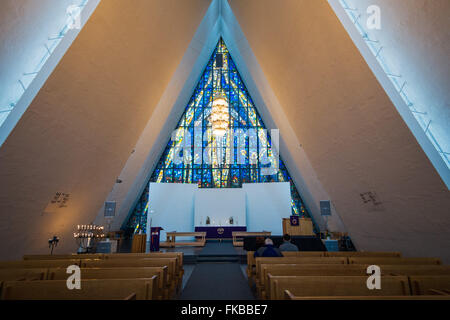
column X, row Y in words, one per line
column 172, row 274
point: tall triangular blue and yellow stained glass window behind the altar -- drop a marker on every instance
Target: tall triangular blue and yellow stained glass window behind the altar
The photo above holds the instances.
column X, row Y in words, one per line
column 195, row 154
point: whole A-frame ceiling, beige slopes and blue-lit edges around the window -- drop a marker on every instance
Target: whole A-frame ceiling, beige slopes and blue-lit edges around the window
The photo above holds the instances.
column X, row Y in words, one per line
column 108, row 108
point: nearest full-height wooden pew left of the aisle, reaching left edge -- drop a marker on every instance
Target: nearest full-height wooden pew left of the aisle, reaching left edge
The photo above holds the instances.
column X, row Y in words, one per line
column 92, row 289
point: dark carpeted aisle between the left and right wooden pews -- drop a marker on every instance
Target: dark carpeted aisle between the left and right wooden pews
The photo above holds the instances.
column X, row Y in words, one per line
column 217, row 281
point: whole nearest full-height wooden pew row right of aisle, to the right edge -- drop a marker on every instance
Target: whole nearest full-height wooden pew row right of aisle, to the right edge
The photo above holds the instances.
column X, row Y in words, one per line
column 353, row 286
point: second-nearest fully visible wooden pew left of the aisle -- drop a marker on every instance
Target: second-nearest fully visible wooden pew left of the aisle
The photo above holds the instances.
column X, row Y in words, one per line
column 119, row 273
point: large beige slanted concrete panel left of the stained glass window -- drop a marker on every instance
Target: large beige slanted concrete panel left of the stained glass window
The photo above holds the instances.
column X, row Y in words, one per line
column 80, row 129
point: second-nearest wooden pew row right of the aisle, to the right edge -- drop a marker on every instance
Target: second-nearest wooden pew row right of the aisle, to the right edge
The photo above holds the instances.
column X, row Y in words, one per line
column 263, row 286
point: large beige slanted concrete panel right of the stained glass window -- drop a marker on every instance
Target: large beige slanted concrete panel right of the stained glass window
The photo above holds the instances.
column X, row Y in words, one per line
column 350, row 130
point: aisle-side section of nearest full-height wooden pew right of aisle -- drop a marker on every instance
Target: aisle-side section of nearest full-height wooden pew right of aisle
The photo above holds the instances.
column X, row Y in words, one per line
column 310, row 286
